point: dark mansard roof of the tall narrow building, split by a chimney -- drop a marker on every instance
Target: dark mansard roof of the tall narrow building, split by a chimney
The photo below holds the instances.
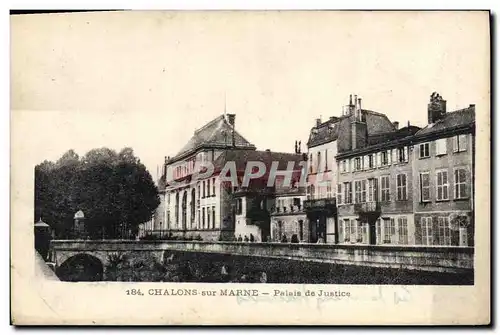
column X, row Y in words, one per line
column 330, row 130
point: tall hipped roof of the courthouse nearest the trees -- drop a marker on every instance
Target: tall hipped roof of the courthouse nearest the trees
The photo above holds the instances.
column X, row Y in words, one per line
column 216, row 133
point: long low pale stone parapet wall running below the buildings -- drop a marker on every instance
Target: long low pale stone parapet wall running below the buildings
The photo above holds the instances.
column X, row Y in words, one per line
column 425, row 258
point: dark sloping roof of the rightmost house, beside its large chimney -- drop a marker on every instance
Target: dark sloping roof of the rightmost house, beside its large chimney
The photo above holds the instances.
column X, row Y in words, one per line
column 452, row 120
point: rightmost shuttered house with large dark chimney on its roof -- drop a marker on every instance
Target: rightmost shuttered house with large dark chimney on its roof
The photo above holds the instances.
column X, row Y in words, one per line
column 443, row 169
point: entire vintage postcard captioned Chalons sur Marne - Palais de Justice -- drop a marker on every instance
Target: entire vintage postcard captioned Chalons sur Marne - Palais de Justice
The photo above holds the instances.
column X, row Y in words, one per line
column 250, row 168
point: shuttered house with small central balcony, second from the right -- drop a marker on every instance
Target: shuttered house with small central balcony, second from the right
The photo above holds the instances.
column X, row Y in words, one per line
column 375, row 191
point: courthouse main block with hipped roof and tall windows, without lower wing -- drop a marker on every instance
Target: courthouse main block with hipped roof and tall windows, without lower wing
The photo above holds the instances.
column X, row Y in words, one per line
column 201, row 207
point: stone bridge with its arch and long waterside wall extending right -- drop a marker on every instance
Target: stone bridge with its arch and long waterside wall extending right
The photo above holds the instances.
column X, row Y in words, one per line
column 100, row 255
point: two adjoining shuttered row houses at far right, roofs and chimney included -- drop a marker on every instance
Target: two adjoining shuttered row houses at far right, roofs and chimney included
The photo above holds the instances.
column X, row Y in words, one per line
column 411, row 186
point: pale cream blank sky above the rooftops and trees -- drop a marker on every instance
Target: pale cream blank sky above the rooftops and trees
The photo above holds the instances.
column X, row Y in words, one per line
column 148, row 79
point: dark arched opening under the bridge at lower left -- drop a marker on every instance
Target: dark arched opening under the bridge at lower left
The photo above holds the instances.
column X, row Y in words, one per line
column 81, row 267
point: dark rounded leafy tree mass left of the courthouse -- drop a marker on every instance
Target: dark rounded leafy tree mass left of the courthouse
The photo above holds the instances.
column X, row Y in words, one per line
column 114, row 190
